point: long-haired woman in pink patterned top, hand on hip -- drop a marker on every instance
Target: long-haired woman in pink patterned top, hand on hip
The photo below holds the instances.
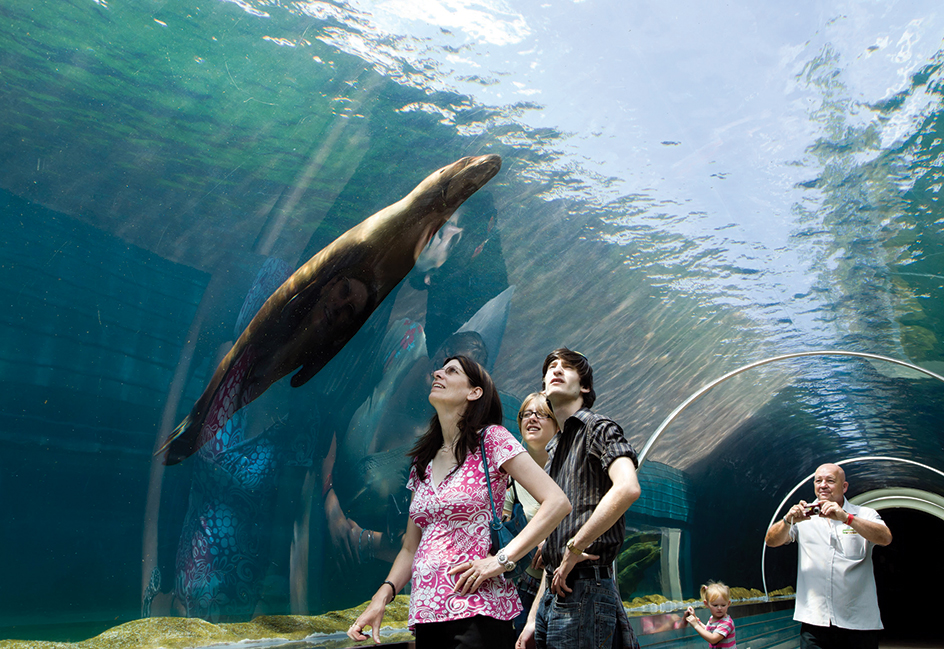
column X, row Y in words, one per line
column 459, row 596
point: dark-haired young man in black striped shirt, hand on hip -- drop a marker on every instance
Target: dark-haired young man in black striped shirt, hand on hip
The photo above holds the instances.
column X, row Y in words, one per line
column 593, row 463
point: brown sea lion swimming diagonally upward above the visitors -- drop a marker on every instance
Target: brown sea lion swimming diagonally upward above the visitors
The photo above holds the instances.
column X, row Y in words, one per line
column 310, row 317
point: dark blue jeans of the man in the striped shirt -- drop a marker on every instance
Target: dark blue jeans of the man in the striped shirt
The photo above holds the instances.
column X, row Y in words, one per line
column 592, row 616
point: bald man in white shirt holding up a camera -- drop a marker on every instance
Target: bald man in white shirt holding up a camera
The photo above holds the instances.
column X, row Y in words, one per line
column 836, row 602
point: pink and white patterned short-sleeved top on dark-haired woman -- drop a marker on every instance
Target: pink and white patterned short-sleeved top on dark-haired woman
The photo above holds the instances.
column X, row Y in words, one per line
column 454, row 518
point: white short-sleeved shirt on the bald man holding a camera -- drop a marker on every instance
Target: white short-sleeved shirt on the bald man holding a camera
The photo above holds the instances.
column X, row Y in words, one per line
column 835, row 582
